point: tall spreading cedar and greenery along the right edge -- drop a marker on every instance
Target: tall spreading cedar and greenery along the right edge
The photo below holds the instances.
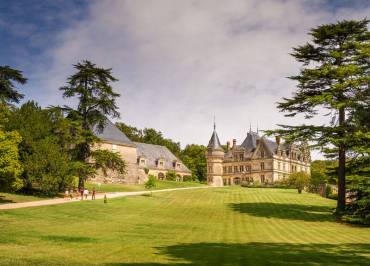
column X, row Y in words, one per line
column 334, row 82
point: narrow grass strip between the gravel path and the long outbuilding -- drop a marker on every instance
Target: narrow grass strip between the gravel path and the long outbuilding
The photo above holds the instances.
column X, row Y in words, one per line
column 124, row 188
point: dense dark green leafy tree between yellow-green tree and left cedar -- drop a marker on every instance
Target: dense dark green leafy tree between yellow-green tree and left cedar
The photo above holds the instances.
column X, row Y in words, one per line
column 47, row 165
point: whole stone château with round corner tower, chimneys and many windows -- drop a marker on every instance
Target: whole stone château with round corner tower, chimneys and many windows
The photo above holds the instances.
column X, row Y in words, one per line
column 257, row 160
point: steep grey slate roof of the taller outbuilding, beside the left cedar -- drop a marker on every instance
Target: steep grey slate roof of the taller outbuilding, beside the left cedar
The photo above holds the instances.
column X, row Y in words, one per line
column 113, row 134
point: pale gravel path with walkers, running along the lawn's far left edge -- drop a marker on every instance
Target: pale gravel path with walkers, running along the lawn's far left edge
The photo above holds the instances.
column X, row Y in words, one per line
column 110, row 195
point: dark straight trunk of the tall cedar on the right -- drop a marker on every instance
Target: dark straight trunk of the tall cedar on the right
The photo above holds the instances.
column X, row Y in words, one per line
column 341, row 204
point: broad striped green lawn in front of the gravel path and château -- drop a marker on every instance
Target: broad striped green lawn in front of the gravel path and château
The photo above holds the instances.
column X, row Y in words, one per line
column 212, row 226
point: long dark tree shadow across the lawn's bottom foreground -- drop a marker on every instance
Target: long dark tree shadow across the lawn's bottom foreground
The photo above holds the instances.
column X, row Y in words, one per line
column 263, row 254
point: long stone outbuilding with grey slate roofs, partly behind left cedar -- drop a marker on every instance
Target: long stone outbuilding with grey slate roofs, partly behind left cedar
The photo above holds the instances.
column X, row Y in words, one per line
column 141, row 159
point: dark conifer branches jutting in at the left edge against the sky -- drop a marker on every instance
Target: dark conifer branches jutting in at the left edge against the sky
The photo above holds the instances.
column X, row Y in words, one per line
column 8, row 91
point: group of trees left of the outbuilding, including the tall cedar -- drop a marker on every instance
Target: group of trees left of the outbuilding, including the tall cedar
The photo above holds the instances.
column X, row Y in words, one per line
column 46, row 150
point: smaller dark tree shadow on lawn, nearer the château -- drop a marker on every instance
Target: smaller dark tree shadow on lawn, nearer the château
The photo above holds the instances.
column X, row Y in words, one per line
column 285, row 211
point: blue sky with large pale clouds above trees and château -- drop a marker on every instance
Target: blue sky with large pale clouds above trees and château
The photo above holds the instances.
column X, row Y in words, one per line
column 178, row 62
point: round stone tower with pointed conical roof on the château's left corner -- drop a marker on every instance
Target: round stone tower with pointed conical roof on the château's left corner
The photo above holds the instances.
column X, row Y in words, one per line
column 214, row 155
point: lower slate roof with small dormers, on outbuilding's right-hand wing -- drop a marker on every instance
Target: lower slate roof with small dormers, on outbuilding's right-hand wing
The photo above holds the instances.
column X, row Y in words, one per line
column 154, row 152
